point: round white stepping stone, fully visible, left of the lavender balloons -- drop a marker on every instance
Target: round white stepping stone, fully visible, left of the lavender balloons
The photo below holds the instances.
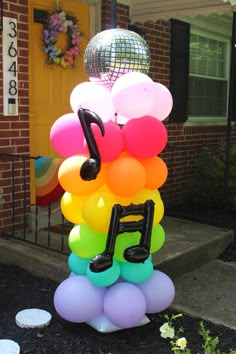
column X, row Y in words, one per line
column 33, row 318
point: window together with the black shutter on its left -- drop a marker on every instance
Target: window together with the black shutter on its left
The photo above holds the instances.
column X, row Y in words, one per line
column 200, row 59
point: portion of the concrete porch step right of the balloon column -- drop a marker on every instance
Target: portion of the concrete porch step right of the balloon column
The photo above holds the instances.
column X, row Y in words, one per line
column 189, row 245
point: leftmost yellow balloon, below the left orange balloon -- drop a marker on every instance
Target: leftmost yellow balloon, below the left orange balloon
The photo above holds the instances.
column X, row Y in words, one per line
column 71, row 207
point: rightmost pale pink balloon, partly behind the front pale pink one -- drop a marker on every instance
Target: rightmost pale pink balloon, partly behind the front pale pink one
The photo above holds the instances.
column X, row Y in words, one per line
column 163, row 103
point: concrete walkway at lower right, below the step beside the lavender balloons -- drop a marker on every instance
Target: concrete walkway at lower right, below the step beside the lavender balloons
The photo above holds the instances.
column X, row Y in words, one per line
column 209, row 293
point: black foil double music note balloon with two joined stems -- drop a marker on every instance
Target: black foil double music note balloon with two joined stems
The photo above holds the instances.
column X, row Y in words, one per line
column 135, row 254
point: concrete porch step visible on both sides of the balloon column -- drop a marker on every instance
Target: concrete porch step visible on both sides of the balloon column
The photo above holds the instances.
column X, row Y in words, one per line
column 188, row 245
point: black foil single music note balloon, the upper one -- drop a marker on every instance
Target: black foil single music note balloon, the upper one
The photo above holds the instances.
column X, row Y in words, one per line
column 92, row 166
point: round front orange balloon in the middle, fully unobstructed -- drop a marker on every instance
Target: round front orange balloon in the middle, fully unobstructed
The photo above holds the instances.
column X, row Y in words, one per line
column 126, row 176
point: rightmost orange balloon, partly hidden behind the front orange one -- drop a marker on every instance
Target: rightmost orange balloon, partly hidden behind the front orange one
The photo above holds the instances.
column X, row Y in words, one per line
column 156, row 172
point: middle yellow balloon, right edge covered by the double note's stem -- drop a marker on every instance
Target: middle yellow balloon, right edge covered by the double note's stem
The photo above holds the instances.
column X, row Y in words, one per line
column 97, row 210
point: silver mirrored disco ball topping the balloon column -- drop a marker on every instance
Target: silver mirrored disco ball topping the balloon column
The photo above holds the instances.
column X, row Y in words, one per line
column 113, row 53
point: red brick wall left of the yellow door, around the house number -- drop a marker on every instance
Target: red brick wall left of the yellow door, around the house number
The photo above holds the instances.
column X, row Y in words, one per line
column 14, row 130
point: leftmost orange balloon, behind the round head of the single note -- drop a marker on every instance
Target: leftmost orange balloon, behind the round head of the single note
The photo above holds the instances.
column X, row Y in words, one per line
column 70, row 180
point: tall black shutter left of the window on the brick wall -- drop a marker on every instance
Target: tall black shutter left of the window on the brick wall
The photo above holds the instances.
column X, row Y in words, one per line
column 179, row 69
